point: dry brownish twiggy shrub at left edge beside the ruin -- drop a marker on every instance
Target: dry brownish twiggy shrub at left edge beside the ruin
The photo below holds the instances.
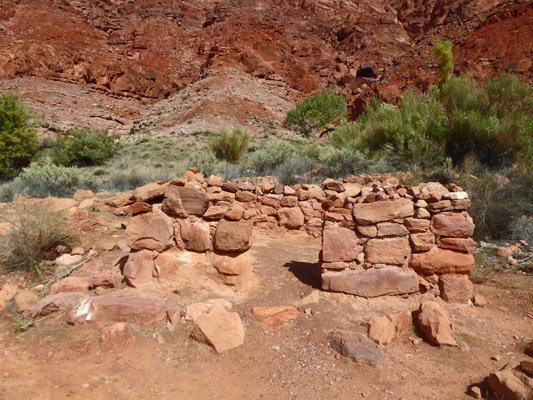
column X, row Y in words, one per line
column 34, row 233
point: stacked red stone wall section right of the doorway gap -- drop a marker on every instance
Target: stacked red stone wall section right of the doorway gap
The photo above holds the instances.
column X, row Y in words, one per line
column 414, row 238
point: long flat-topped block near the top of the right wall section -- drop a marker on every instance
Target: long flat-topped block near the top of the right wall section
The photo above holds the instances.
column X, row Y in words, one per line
column 382, row 211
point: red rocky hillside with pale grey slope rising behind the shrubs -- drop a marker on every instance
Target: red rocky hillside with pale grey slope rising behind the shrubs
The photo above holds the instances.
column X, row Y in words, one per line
column 173, row 65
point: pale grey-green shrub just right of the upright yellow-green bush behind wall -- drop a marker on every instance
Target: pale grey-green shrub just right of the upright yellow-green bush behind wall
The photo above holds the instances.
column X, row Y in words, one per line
column 270, row 156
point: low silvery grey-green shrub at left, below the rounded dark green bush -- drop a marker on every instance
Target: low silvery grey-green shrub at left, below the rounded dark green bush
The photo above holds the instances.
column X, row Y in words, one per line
column 43, row 180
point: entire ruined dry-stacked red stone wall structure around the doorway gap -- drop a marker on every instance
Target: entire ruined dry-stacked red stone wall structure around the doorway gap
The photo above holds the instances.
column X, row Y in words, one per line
column 379, row 237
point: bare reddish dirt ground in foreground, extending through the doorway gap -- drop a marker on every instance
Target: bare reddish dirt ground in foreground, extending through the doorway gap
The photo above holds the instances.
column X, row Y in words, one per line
column 56, row 361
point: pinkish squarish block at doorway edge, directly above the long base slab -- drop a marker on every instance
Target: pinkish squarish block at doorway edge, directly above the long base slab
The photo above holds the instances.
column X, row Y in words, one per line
column 339, row 243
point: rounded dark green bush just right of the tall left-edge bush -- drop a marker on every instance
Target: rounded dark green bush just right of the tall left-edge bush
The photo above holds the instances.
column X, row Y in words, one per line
column 81, row 147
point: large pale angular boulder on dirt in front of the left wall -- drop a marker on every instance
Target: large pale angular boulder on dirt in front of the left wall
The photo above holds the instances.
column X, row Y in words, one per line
column 219, row 329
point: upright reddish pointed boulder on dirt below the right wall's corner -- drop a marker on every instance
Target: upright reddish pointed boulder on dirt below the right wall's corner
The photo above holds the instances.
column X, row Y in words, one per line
column 435, row 325
